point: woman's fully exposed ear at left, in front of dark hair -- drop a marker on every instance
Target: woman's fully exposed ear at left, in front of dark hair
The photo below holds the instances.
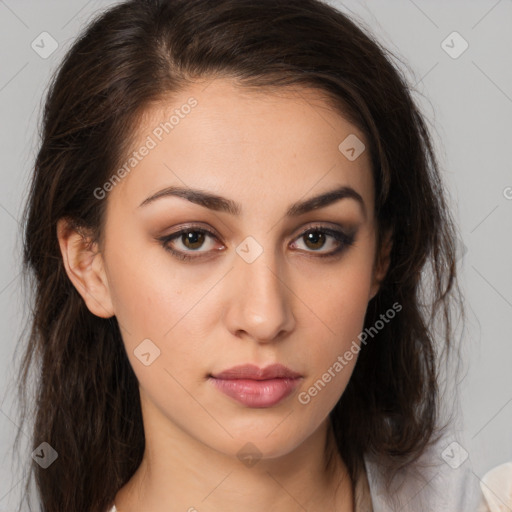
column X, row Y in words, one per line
column 85, row 268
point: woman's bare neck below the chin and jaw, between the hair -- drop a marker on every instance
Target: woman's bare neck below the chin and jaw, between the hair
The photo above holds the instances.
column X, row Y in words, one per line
column 179, row 473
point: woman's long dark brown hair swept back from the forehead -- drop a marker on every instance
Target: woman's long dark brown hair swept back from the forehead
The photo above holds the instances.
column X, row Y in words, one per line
column 139, row 53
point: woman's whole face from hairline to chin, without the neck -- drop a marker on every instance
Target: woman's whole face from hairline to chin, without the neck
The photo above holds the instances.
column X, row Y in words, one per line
column 257, row 290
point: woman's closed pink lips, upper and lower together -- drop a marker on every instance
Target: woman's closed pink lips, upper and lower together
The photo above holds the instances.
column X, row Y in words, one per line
column 257, row 387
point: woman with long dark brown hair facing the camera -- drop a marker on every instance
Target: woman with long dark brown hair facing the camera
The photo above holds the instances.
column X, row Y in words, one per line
column 232, row 212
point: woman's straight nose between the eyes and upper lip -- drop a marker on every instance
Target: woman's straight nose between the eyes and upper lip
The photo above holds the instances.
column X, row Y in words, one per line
column 260, row 300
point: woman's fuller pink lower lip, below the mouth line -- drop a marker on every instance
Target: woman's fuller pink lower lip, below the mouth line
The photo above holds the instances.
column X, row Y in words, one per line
column 256, row 393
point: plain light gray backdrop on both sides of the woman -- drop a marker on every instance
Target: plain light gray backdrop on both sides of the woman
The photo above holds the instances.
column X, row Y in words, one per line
column 468, row 101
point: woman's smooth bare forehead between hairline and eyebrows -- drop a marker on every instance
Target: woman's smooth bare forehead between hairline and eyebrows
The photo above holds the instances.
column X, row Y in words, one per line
column 235, row 141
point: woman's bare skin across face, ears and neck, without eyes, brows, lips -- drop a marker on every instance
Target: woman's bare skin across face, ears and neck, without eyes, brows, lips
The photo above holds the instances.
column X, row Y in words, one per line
column 264, row 151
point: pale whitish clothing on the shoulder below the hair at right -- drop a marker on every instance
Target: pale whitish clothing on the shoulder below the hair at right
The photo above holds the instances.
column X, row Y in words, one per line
column 442, row 480
